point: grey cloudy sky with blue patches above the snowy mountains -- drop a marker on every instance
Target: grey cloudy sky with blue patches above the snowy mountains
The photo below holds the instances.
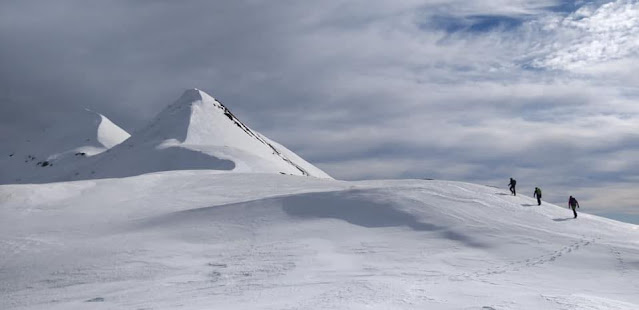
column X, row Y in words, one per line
column 545, row 91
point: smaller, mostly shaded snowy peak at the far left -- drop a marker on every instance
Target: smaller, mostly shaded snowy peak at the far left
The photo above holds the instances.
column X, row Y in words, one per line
column 45, row 153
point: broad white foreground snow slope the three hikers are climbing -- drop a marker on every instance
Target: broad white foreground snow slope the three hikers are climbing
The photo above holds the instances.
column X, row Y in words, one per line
column 204, row 240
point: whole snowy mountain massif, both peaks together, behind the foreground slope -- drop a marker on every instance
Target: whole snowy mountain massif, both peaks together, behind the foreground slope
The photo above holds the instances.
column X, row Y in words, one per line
column 195, row 132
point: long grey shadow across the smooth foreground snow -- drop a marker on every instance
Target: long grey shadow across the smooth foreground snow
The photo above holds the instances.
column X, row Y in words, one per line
column 364, row 209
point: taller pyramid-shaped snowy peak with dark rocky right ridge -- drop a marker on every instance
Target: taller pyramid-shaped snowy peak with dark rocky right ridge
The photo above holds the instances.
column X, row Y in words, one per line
column 195, row 132
